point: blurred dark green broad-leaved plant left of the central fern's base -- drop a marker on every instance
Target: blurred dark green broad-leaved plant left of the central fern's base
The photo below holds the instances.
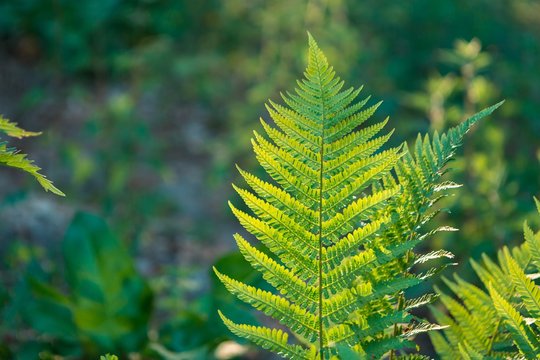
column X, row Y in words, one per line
column 108, row 305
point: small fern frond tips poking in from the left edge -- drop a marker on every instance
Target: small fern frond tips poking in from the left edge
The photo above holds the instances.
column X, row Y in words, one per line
column 13, row 158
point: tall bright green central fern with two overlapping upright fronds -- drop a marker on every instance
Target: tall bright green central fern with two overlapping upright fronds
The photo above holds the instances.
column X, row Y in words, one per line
column 338, row 223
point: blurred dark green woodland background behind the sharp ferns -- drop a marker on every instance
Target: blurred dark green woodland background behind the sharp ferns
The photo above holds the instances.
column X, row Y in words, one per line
column 145, row 107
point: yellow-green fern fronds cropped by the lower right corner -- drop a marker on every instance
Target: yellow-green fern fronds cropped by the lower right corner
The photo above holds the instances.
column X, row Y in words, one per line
column 502, row 319
